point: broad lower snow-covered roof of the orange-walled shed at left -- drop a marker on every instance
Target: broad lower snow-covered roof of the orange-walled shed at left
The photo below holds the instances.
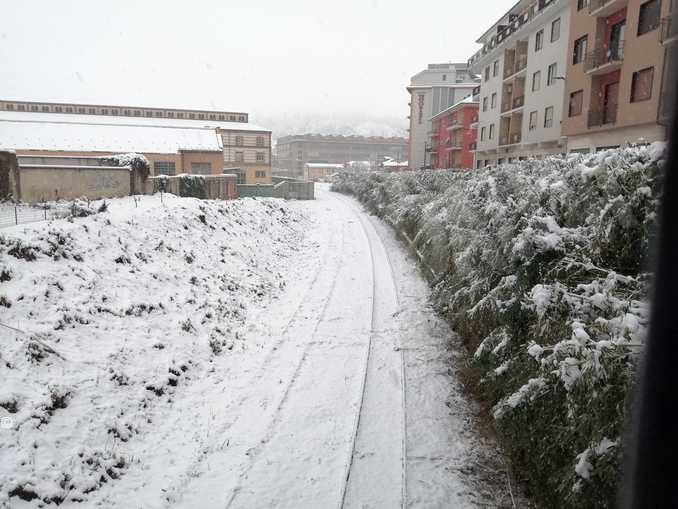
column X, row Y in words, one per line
column 42, row 135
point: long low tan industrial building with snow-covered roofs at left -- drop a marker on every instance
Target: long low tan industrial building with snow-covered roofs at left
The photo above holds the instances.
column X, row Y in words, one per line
column 174, row 140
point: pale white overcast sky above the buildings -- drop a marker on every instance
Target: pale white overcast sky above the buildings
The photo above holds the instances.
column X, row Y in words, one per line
column 272, row 58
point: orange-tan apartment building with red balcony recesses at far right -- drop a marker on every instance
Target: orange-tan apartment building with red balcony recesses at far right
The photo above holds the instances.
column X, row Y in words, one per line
column 615, row 72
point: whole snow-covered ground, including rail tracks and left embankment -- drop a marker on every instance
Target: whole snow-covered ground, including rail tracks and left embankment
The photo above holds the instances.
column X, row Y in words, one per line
column 256, row 353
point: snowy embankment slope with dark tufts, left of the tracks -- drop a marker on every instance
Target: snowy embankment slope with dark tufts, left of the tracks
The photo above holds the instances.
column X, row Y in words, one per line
column 122, row 309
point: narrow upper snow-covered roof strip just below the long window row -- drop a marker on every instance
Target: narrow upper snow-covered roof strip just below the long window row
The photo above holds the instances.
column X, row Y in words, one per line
column 71, row 118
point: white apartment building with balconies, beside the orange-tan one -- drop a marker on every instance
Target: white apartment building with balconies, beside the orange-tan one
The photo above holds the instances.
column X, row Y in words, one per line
column 522, row 65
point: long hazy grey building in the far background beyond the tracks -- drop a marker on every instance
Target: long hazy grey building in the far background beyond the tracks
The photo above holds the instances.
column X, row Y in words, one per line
column 294, row 152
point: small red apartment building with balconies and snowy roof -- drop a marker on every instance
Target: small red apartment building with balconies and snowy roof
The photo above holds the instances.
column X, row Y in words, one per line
column 454, row 137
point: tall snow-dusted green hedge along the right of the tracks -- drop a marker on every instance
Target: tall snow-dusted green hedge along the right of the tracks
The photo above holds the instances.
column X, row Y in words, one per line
column 541, row 267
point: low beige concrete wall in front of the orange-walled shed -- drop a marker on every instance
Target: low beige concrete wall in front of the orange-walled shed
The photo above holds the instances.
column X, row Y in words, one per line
column 51, row 182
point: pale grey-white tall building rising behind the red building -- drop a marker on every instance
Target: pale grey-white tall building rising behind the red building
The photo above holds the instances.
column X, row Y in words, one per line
column 433, row 90
